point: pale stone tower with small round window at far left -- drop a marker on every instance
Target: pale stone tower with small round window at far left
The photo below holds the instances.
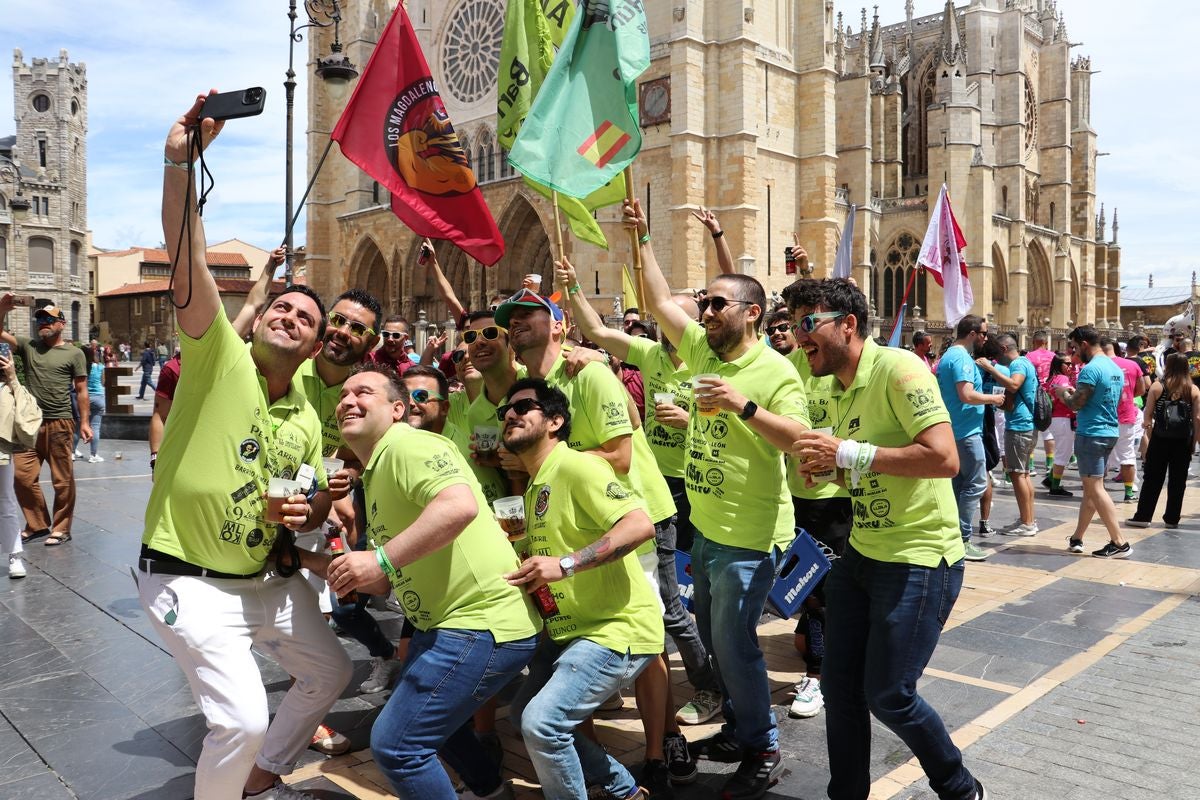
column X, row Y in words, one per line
column 44, row 193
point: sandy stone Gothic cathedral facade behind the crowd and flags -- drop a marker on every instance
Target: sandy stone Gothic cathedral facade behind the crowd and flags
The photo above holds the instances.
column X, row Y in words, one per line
column 777, row 117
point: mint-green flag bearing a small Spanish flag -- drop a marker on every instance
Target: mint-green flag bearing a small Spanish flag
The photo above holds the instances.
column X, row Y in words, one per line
column 583, row 128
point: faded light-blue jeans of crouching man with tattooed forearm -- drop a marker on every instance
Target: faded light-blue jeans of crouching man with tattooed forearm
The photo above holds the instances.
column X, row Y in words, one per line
column 565, row 687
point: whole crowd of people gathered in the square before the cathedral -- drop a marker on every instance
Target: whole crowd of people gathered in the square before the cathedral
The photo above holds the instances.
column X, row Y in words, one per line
column 524, row 497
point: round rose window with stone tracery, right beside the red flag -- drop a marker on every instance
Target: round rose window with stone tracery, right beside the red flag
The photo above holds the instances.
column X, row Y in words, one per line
column 471, row 50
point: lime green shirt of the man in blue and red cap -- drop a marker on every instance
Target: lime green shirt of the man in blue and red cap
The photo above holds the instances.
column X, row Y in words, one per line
column 599, row 413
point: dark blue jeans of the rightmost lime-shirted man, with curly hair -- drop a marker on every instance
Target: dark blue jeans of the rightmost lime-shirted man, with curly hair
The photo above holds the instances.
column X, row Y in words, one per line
column 884, row 622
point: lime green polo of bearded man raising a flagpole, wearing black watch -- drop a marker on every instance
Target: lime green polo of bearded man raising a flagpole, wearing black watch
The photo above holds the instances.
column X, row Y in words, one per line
column 736, row 480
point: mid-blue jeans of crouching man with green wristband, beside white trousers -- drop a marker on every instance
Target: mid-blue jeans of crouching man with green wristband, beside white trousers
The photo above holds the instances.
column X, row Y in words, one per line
column 448, row 676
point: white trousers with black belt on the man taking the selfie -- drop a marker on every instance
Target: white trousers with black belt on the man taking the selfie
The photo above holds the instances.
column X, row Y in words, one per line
column 209, row 625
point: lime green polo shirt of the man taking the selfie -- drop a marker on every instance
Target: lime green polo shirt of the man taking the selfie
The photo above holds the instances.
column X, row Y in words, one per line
column 223, row 443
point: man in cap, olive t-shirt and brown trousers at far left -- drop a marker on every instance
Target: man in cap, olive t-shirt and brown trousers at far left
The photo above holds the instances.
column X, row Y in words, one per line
column 52, row 366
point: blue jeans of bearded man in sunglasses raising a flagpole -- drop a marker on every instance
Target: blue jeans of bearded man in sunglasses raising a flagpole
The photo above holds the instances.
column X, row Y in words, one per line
column 730, row 591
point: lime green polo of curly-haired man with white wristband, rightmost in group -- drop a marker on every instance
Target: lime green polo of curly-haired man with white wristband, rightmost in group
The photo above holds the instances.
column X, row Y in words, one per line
column 902, row 520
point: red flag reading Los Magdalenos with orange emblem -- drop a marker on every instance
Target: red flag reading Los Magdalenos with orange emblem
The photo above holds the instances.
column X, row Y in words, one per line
column 398, row 131
